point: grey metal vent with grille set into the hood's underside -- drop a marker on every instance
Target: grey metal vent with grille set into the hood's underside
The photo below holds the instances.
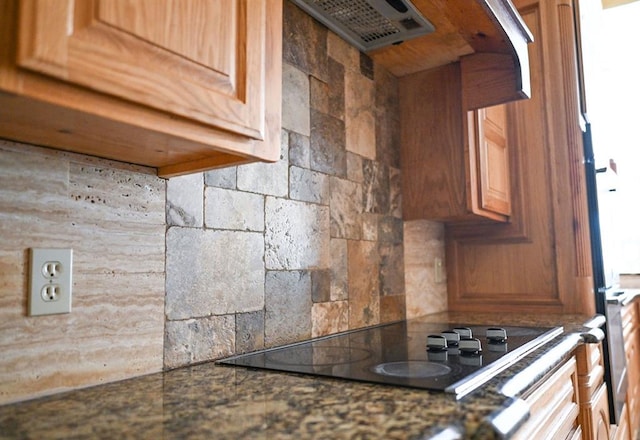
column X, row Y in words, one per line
column 369, row 24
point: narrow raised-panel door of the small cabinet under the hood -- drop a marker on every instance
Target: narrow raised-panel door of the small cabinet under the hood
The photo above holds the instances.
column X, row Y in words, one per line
column 493, row 160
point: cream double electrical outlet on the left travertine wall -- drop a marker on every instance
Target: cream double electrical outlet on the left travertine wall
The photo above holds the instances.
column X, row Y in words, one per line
column 51, row 271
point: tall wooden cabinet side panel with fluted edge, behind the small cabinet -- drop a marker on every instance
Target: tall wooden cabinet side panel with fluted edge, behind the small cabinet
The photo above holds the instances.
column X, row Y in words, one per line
column 540, row 260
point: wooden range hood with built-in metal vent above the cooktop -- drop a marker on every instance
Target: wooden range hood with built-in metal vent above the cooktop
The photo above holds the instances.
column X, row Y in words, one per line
column 487, row 37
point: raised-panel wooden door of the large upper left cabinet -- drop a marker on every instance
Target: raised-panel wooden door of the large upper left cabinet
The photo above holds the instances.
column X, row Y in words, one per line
column 198, row 59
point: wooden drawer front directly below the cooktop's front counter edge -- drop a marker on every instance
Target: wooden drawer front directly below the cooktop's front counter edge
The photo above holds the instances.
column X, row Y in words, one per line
column 553, row 406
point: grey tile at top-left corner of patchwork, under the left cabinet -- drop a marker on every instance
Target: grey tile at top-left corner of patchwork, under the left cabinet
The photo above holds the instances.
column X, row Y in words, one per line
column 184, row 200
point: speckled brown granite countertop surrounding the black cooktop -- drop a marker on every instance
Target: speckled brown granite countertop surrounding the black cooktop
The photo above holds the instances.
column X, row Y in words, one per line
column 214, row 401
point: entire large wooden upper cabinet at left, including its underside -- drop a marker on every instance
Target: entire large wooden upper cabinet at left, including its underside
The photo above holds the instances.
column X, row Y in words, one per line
column 177, row 86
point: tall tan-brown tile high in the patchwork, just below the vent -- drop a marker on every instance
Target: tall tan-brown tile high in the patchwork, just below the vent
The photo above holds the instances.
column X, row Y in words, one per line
column 360, row 123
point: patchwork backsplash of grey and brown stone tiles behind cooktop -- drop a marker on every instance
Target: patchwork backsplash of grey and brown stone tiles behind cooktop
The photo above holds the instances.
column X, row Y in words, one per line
column 266, row 254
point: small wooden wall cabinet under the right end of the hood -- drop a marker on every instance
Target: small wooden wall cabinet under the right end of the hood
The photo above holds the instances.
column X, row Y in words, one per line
column 455, row 163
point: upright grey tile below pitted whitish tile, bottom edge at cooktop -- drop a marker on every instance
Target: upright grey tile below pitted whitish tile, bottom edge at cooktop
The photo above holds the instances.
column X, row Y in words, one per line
column 288, row 307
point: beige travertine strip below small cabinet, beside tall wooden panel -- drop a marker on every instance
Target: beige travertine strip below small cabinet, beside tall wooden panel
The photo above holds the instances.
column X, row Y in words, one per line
column 423, row 242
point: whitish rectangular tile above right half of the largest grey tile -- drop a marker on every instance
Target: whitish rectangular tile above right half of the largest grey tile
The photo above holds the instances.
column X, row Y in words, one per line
column 227, row 209
